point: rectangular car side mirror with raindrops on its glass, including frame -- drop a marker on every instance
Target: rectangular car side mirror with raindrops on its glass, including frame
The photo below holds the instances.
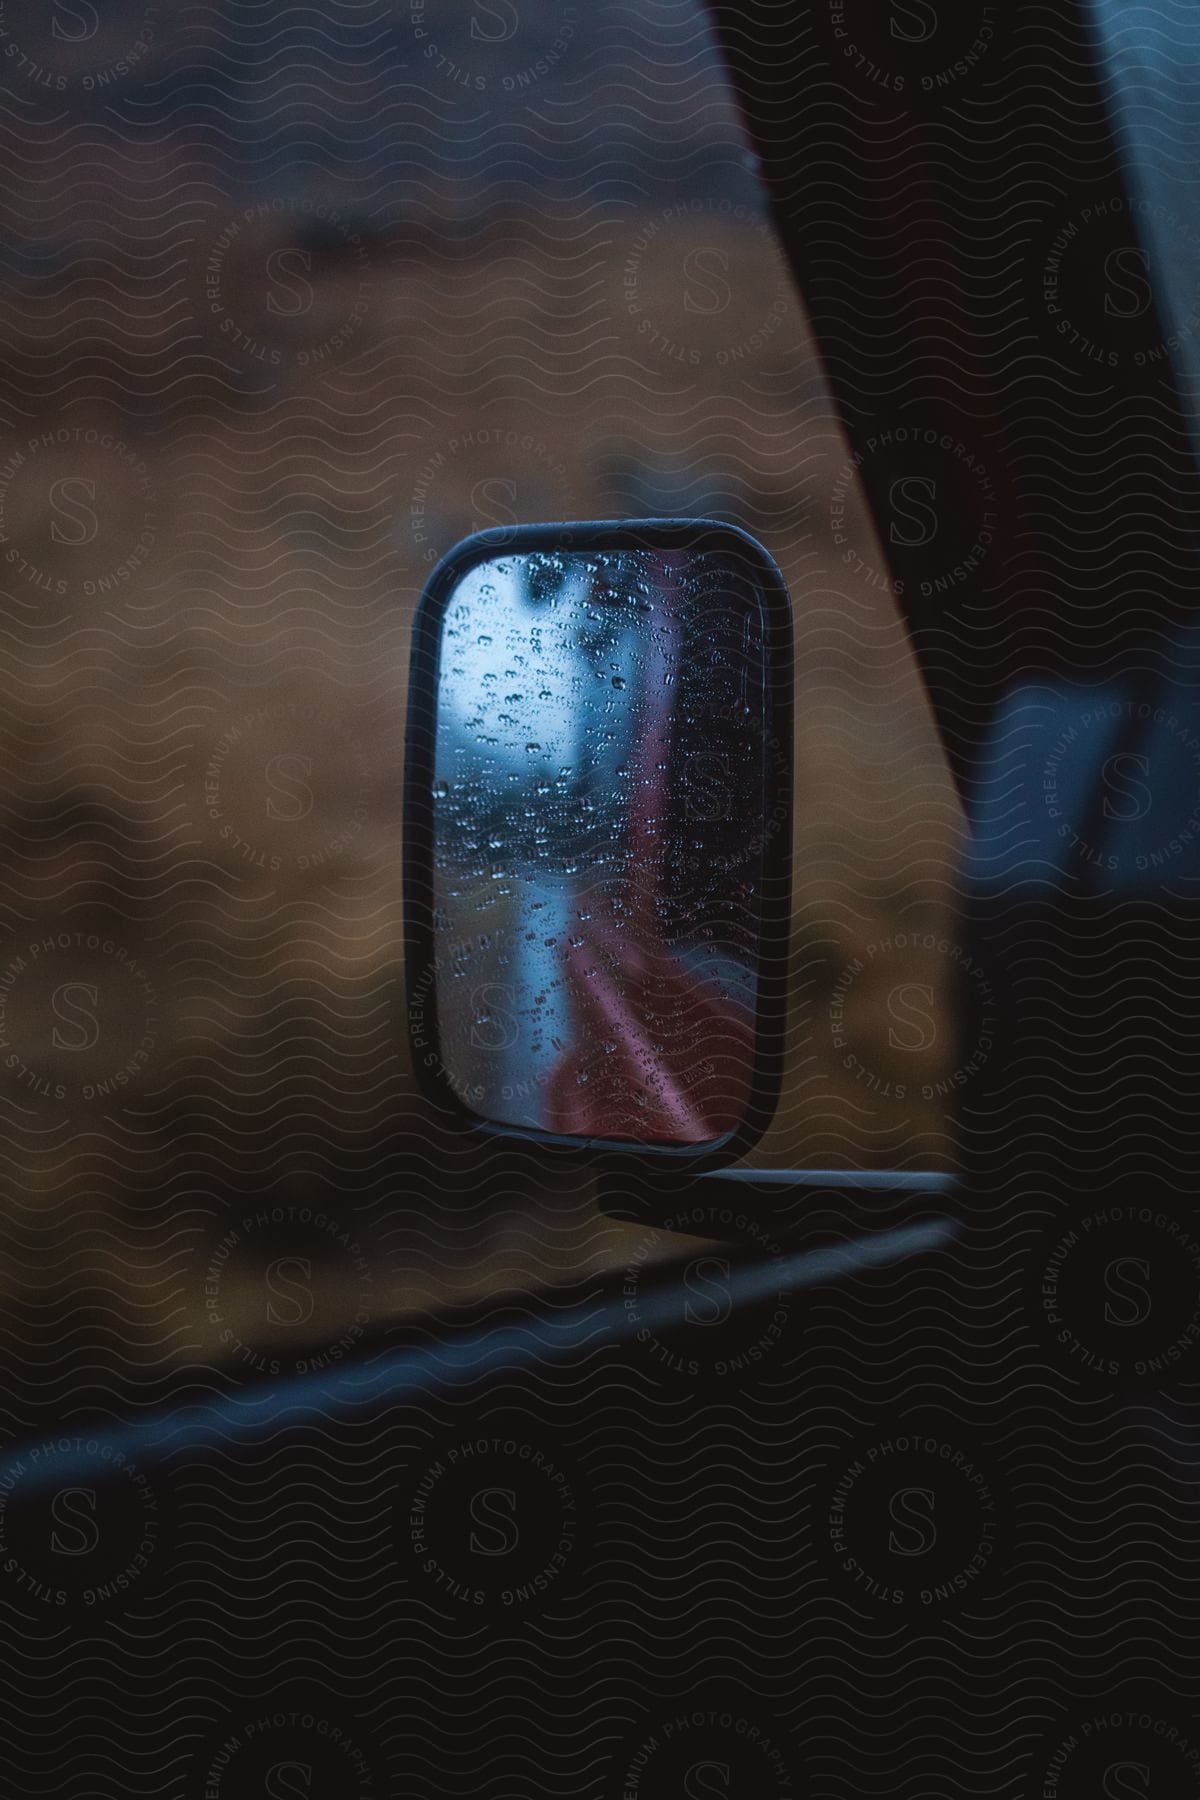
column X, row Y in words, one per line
column 598, row 831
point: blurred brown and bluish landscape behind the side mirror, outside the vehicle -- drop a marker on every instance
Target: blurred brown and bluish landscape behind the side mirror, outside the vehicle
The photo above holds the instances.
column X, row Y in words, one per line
column 291, row 303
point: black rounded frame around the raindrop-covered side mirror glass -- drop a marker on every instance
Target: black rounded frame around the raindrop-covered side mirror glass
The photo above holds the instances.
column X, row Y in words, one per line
column 418, row 825
